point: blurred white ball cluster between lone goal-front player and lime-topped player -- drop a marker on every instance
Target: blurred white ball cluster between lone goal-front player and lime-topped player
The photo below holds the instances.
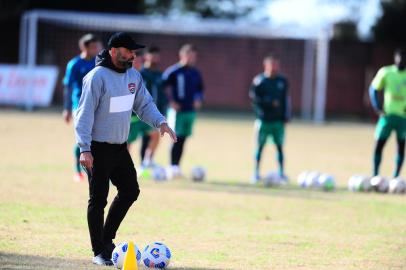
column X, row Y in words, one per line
column 316, row 180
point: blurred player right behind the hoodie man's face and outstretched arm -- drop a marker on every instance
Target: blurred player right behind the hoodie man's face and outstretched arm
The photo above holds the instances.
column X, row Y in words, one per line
column 152, row 77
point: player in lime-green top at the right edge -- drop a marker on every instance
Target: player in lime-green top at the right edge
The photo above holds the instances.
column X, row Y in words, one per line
column 388, row 98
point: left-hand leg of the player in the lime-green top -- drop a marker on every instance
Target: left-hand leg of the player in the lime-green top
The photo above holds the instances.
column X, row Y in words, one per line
column 382, row 133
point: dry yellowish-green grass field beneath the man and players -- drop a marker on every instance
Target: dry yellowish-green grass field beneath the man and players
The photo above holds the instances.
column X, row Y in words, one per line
column 223, row 223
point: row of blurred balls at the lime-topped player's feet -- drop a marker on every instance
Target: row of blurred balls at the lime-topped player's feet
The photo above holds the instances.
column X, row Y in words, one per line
column 363, row 183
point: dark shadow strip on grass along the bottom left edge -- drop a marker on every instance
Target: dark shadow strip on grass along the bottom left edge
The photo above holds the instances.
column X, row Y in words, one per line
column 13, row 261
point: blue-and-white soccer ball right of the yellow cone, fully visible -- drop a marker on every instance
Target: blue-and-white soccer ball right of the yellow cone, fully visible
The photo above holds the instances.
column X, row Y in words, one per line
column 156, row 255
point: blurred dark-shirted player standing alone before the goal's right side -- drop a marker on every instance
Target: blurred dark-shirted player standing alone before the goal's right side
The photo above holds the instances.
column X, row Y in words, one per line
column 269, row 94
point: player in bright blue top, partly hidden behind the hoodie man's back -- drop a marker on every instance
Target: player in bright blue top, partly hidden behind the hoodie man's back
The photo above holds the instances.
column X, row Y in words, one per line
column 89, row 45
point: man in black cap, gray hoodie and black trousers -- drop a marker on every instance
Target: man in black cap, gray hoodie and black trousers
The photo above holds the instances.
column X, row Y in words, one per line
column 111, row 91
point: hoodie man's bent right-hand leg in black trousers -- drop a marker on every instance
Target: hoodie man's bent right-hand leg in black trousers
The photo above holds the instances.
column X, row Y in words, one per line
column 124, row 177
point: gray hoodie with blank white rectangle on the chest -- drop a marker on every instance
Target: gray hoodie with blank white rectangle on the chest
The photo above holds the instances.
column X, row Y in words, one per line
column 109, row 96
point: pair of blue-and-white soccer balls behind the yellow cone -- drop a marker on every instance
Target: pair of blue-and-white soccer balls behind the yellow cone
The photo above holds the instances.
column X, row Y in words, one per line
column 155, row 255
